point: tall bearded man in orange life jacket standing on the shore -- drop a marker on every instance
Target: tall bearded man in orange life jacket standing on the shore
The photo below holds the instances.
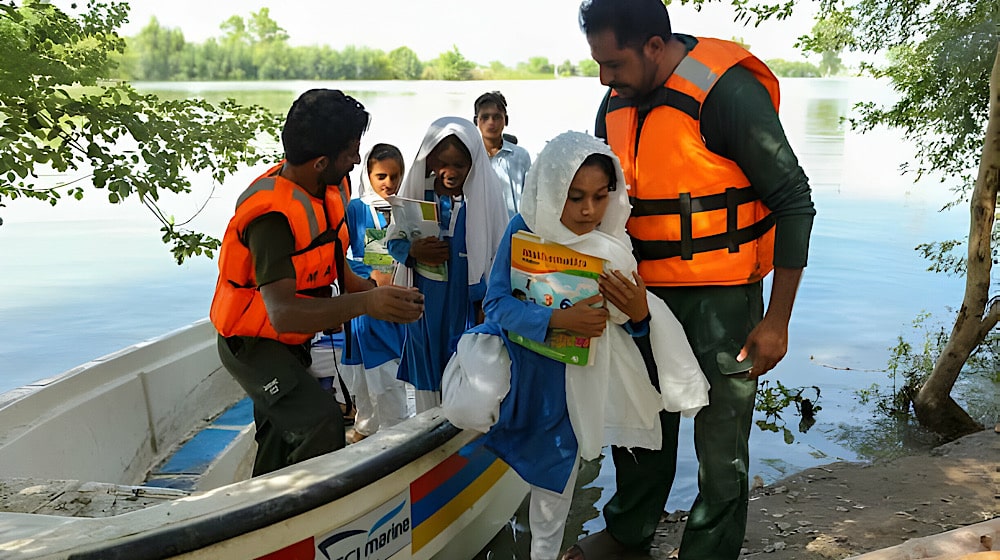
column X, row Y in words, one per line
column 719, row 201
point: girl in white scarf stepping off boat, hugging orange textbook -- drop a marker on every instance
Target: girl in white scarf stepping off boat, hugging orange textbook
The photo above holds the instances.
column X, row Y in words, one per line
column 554, row 413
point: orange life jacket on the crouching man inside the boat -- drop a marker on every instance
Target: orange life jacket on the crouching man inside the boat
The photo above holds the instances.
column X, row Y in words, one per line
column 238, row 307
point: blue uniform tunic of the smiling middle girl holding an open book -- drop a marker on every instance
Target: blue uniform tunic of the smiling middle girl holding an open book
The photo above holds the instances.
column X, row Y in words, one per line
column 449, row 306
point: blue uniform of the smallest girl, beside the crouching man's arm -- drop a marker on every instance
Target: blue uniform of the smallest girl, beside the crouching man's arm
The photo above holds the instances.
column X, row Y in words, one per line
column 373, row 342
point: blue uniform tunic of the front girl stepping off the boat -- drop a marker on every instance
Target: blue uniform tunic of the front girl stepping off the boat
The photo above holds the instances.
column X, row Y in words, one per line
column 533, row 433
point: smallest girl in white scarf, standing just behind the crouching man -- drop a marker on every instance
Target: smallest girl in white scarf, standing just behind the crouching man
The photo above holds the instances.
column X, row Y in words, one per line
column 375, row 347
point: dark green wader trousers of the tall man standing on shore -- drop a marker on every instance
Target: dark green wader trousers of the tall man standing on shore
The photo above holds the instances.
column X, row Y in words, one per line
column 717, row 320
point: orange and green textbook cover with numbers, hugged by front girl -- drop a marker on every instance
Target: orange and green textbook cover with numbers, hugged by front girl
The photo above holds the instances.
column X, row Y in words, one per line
column 553, row 275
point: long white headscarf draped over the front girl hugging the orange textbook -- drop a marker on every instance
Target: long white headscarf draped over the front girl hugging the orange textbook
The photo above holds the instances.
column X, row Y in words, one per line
column 611, row 401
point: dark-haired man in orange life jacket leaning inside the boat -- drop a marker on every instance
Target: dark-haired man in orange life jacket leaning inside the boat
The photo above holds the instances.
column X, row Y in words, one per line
column 280, row 255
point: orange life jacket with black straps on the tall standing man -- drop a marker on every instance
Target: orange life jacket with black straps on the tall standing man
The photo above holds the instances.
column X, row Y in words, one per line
column 695, row 218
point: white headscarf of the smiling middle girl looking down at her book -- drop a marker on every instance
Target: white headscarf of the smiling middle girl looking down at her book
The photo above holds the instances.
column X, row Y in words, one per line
column 485, row 209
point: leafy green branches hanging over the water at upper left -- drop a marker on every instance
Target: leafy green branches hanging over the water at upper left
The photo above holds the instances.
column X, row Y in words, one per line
column 60, row 113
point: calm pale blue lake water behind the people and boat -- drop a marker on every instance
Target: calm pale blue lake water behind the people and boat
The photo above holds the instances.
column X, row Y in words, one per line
column 84, row 278
